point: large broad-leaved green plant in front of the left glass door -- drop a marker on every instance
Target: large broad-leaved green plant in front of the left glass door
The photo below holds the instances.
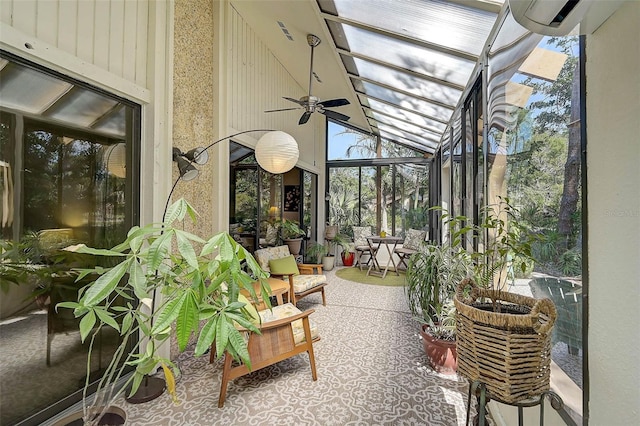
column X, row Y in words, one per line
column 180, row 289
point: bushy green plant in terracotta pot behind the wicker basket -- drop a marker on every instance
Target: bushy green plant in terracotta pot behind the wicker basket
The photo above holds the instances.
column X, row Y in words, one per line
column 431, row 278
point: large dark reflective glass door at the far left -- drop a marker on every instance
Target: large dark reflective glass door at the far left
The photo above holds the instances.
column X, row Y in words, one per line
column 68, row 166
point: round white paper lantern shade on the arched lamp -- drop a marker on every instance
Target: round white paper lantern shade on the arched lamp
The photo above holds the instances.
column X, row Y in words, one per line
column 277, row 152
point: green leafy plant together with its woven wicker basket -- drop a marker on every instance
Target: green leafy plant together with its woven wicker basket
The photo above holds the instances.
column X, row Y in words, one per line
column 503, row 339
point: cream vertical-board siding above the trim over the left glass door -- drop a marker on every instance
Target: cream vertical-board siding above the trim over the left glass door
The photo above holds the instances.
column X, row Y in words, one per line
column 109, row 34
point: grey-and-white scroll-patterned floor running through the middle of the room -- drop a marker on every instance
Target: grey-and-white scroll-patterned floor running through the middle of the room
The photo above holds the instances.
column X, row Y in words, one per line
column 371, row 371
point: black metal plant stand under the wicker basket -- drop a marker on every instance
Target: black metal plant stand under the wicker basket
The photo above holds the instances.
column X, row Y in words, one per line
column 480, row 390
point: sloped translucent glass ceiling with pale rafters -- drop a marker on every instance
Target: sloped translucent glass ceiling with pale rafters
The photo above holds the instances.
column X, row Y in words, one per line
column 410, row 60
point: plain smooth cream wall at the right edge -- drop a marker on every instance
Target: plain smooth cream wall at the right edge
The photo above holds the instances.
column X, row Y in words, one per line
column 613, row 108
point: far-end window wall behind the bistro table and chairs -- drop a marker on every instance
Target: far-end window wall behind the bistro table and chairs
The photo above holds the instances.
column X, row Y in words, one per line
column 374, row 182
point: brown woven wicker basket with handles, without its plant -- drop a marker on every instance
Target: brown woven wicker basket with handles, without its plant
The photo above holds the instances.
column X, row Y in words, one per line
column 508, row 349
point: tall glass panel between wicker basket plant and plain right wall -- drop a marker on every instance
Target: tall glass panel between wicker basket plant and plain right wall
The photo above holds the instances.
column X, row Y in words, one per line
column 534, row 159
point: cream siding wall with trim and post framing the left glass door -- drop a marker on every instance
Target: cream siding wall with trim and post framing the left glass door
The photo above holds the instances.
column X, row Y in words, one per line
column 121, row 46
